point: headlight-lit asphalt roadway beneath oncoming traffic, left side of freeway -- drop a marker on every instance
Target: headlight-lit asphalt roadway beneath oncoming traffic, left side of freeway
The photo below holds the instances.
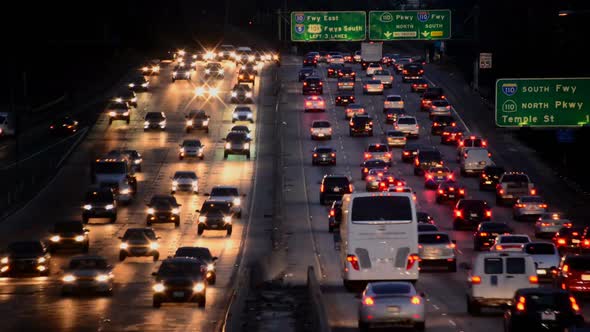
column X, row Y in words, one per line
column 26, row 302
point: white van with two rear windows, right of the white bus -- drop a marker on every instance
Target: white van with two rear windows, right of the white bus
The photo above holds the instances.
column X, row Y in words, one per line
column 496, row 276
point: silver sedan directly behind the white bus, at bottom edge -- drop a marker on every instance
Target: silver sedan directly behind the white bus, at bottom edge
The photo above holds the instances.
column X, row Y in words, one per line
column 391, row 304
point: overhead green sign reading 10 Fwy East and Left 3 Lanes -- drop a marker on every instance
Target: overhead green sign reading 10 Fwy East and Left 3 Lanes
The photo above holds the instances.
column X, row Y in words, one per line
column 328, row 26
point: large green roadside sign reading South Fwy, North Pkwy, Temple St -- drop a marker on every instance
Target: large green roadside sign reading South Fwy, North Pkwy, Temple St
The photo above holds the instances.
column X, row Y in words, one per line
column 542, row 102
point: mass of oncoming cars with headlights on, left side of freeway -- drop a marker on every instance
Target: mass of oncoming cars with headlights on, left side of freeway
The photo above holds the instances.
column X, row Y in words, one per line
column 185, row 276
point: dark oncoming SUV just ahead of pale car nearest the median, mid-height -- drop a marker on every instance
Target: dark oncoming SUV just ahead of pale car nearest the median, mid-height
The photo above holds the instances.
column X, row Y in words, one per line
column 215, row 215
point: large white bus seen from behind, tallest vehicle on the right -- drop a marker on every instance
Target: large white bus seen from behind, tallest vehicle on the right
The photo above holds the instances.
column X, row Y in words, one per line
column 379, row 238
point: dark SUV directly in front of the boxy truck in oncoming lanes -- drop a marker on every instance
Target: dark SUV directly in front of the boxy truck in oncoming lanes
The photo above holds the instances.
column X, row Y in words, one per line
column 99, row 203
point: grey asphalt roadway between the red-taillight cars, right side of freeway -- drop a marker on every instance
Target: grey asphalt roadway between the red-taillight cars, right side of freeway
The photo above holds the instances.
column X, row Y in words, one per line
column 445, row 291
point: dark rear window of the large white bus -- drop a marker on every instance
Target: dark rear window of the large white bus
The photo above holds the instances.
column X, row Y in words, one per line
column 380, row 209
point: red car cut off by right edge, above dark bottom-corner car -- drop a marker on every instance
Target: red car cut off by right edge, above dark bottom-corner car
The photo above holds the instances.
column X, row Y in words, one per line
column 574, row 274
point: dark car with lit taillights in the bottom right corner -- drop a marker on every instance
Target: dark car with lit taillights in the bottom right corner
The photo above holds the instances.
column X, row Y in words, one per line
column 542, row 309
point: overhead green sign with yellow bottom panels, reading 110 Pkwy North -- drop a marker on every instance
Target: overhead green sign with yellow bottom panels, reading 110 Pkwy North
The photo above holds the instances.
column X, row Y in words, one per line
column 410, row 25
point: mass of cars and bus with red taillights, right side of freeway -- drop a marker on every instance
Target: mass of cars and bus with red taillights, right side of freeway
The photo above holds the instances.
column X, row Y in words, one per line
column 510, row 267
